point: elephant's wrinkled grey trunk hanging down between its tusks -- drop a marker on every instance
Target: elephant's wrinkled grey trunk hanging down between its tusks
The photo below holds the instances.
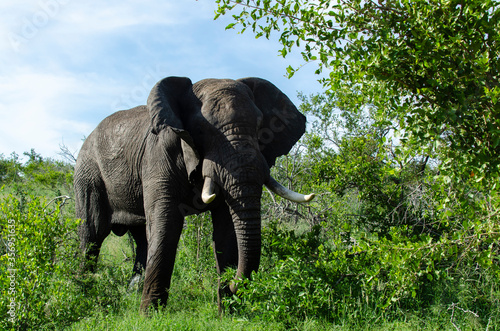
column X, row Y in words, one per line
column 240, row 174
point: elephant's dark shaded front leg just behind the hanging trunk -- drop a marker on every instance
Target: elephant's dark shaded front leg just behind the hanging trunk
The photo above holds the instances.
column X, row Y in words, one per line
column 224, row 245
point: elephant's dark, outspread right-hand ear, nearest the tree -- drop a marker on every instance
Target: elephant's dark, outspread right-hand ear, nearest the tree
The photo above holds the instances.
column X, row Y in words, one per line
column 282, row 125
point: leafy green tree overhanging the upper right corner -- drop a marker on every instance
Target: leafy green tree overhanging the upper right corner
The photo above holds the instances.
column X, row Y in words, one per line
column 429, row 68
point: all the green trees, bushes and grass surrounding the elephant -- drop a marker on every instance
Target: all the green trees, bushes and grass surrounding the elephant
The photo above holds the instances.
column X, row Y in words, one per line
column 402, row 152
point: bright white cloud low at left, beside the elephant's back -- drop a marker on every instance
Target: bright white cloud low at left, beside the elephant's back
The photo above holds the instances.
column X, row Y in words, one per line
column 38, row 111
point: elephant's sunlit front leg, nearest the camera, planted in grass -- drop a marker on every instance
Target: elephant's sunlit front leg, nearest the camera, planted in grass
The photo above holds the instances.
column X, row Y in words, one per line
column 163, row 230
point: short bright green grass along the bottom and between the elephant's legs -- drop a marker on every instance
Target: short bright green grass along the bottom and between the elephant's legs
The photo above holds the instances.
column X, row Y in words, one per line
column 192, row 306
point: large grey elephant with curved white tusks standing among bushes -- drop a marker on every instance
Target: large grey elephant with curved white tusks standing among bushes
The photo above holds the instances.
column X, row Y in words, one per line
column 199, row 147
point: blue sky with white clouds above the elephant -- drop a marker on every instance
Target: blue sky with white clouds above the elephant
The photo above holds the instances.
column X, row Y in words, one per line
column 67, row 64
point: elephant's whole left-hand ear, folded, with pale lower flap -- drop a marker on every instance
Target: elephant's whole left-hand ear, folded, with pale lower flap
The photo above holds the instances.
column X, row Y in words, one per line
column 165, row 108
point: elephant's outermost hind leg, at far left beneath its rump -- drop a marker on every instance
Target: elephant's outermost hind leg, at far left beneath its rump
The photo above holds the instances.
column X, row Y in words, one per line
column 92, row 208
